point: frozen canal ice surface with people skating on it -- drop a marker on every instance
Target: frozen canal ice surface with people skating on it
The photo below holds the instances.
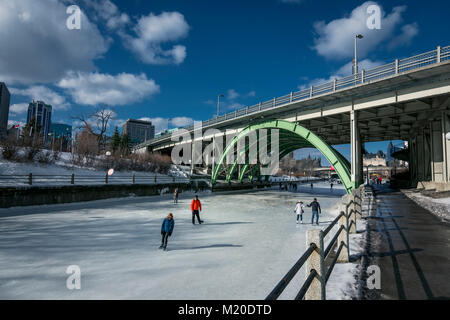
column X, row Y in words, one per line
column 247, row 244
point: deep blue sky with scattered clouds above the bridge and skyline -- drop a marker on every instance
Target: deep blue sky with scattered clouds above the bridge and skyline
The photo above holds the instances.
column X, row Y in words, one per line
column 170, row 59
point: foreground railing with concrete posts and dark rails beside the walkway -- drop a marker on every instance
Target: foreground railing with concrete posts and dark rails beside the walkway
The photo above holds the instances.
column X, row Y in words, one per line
column 320, row 260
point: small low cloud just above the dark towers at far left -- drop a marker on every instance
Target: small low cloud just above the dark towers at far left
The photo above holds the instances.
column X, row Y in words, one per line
column 45, row 94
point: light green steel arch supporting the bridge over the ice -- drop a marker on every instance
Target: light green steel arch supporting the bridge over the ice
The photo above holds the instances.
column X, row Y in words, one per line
column 292, row 137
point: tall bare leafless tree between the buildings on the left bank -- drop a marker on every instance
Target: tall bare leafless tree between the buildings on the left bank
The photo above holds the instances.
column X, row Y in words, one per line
column 97, row 124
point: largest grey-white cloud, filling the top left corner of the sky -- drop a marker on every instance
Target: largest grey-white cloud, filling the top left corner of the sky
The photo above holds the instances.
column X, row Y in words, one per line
column 38, row 47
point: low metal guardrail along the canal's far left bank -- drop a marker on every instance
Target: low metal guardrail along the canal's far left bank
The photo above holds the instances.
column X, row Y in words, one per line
column 50, row 180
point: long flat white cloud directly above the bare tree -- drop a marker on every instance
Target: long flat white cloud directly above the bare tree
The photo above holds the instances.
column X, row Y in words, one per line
column 113, row 90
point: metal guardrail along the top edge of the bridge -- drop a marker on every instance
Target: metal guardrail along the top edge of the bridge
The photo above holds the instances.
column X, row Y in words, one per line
column 364, row 77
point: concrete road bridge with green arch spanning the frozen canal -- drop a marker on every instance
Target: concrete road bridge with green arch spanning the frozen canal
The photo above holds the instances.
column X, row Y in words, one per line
column 407, row 99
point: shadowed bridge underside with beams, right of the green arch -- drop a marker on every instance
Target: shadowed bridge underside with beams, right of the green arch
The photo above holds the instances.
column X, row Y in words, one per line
column 423, row 123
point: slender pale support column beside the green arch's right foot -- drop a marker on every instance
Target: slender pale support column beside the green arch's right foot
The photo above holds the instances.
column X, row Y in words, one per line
column 356, row 155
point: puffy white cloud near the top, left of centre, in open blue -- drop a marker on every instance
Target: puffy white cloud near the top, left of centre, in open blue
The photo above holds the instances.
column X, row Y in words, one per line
column 152, row 32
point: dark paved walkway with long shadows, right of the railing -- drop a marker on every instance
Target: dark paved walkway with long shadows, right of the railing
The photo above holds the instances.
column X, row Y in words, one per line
column 413, row 250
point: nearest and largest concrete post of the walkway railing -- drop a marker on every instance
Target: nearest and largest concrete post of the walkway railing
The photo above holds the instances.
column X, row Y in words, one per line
column 315, row 290
